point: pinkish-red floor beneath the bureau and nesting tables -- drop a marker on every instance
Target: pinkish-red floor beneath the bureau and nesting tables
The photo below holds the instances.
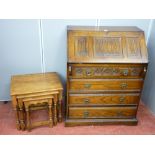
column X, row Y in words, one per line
column 146, row 125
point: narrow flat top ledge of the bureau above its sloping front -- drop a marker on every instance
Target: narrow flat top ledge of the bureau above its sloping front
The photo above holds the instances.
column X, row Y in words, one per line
column 104, row 28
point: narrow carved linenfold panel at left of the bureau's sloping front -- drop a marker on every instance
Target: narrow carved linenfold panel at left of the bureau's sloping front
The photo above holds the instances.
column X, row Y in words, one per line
column 81, row 46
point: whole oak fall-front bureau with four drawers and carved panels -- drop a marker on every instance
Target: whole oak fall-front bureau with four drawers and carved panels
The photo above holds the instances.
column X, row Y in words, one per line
column 105, row 74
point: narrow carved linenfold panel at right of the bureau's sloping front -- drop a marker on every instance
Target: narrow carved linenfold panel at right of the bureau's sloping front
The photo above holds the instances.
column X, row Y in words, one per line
column 133, row 47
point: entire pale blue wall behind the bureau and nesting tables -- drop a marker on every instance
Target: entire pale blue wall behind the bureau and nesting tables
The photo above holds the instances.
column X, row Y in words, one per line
column 31, row 46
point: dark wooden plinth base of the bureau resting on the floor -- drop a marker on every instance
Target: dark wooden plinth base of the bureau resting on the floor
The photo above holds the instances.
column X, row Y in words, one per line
column 82, row 122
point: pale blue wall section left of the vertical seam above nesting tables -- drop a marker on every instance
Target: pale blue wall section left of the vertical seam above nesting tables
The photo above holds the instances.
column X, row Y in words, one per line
column 19, row 51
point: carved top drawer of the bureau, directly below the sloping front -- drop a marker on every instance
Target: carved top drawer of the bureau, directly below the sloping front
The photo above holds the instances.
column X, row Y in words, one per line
column 106, row 71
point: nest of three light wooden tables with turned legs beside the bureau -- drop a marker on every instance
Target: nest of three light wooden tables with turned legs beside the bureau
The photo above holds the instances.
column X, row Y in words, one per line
column 34, row 88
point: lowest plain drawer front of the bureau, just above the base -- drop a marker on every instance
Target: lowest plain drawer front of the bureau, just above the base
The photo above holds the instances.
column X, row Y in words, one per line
column 102, row 112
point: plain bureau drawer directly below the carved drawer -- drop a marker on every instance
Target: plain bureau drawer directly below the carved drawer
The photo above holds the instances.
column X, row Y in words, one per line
column 105, row 84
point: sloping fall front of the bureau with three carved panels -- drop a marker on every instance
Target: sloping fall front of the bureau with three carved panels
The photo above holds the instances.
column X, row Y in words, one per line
column 106, row 46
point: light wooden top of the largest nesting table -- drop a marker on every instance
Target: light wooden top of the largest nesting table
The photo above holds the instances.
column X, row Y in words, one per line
column 34, row 83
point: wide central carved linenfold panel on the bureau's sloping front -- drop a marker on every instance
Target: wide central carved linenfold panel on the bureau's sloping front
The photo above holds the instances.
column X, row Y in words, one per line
column 107, row 47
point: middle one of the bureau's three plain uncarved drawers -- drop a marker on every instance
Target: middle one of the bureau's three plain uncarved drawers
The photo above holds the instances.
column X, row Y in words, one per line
column 103, row 99
